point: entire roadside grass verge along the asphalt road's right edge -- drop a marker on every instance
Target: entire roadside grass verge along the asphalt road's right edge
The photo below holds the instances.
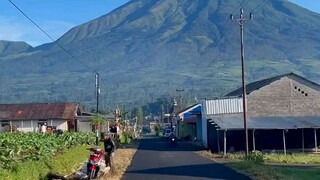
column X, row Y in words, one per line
column 270, row 171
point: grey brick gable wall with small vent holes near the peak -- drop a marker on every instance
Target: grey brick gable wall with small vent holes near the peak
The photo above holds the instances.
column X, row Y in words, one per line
column 285, row 97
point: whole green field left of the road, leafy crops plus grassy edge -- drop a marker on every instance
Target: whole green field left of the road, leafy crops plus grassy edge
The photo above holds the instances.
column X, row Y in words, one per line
column 35, row 155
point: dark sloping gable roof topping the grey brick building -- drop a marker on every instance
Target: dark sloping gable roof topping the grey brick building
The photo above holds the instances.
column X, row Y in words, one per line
column 259, row 84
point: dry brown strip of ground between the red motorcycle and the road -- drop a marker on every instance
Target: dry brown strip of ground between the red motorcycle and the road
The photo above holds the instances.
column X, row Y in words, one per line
column 121, row 160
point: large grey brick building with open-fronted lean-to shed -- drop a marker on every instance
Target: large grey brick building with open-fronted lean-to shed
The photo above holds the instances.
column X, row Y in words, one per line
column 282, row 112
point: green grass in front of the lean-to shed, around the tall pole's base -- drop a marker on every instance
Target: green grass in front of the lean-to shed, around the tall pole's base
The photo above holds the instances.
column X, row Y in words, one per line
column 277, row 166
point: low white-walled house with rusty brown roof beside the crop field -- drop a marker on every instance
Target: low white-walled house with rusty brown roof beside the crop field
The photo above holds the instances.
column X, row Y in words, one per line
column 30, row 117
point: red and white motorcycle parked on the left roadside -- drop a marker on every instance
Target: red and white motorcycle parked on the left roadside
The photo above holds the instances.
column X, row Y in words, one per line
column 95, row 161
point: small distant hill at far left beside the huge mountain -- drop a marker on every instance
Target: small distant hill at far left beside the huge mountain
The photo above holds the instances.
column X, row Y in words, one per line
column 10, row 47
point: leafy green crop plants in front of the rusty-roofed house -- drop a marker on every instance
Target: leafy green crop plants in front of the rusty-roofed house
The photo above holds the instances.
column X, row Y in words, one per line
column 21, row 147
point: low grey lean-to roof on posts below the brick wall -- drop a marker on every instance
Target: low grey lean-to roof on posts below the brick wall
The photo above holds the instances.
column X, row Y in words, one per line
column 235, row 122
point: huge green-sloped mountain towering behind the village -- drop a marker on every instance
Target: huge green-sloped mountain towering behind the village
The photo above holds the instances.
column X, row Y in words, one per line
column 146, row 49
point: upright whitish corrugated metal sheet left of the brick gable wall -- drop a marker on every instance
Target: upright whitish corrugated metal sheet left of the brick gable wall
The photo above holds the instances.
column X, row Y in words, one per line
column 223, row 106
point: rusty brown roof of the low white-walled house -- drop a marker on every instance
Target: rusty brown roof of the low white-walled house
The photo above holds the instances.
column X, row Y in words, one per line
column 38, row 111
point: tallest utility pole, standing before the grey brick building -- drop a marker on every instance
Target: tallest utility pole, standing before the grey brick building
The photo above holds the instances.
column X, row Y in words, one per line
column 241, row 22
